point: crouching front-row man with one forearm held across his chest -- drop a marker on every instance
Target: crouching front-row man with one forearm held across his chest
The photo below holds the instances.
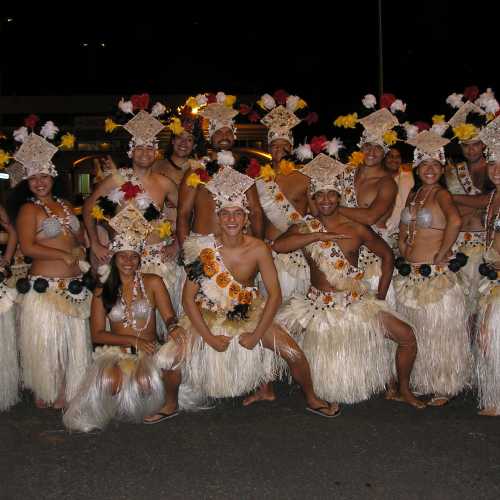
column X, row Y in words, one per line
column 342, row 327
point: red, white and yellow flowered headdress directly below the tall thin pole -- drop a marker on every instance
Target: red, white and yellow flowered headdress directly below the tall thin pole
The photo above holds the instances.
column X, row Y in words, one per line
column 383, row 126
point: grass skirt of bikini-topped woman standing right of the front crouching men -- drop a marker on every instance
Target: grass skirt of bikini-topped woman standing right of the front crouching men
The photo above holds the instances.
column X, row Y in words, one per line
column 437, row 306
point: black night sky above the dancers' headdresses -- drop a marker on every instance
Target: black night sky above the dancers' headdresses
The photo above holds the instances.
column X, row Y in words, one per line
column 327, row 55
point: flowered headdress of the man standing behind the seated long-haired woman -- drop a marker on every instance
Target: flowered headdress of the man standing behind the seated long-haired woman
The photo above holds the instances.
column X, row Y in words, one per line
column 144, row 126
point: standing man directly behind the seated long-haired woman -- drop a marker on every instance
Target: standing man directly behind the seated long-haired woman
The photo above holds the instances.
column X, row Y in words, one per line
column 144, row 190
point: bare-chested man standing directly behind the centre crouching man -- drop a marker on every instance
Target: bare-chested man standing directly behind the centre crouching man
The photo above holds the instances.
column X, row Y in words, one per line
column 196, row 208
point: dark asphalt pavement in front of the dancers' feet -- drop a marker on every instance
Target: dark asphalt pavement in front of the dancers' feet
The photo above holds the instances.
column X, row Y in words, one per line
column 377, row 449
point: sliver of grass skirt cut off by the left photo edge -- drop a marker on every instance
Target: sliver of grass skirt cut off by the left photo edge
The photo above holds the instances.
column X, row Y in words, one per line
column 9, row 363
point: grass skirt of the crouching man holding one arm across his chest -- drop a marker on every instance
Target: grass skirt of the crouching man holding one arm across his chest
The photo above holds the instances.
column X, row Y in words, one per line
column 344, row 341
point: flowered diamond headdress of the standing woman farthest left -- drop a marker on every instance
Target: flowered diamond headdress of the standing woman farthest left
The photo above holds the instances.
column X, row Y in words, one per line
column 36, row 151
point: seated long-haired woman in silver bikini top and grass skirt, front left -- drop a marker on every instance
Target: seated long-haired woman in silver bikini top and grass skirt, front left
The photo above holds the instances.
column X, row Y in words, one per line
column 124, row 381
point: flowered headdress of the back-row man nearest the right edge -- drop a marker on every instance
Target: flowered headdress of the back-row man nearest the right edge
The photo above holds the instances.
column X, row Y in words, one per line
column 474, row 112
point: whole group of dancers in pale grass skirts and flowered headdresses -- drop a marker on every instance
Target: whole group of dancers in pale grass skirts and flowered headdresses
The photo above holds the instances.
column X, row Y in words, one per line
column 210, row 275
